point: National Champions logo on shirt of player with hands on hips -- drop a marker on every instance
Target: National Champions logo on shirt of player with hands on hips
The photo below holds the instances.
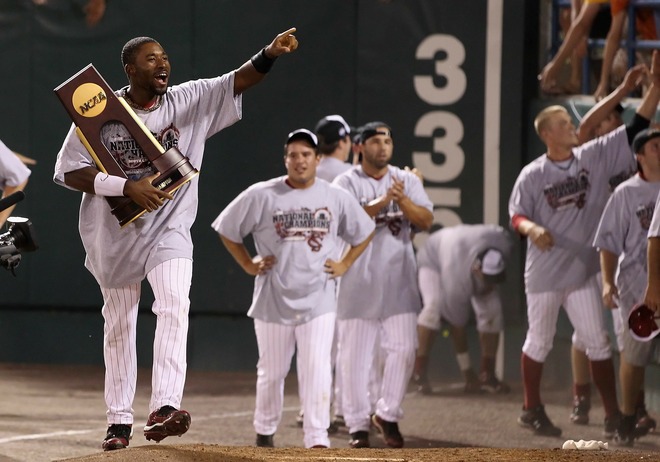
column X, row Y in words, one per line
column 303, row 225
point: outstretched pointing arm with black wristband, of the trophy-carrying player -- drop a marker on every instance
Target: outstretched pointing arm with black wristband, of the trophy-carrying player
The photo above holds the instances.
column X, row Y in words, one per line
column 254, row 70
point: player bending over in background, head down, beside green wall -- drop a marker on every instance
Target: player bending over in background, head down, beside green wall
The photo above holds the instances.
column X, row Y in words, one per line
column 460, row 268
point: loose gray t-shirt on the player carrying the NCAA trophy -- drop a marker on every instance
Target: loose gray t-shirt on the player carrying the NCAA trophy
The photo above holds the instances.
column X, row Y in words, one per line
column 190, row 113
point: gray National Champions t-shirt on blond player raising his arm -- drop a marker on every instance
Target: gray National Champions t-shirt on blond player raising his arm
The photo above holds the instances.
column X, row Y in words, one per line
column 568, row 201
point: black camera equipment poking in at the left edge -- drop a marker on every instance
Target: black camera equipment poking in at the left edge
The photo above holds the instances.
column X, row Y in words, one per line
column 19, row 238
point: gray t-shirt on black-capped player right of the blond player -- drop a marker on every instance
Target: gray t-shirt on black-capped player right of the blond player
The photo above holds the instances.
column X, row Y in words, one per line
column 623, row 228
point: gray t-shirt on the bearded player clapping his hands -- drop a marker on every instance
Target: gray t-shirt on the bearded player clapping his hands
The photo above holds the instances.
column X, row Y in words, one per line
column 383, row 281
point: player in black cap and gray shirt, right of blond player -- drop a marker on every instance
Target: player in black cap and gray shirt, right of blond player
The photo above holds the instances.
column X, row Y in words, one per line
column 622, row 240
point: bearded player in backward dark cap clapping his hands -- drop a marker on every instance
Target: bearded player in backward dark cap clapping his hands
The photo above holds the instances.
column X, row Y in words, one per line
column 379, row 296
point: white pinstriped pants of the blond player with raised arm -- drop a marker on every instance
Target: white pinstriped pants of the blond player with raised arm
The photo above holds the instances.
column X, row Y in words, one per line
column 584, row 309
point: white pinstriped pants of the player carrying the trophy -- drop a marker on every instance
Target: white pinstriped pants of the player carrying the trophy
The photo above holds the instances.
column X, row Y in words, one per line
column 170, row 282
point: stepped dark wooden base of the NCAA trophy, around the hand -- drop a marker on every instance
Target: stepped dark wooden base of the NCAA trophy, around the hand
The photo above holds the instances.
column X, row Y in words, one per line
column 177, row 171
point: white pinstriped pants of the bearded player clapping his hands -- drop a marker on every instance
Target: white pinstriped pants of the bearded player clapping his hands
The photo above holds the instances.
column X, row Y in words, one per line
column 357, row 337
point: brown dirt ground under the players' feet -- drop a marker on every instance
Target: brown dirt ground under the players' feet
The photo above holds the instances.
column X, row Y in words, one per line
column 57, row 413
